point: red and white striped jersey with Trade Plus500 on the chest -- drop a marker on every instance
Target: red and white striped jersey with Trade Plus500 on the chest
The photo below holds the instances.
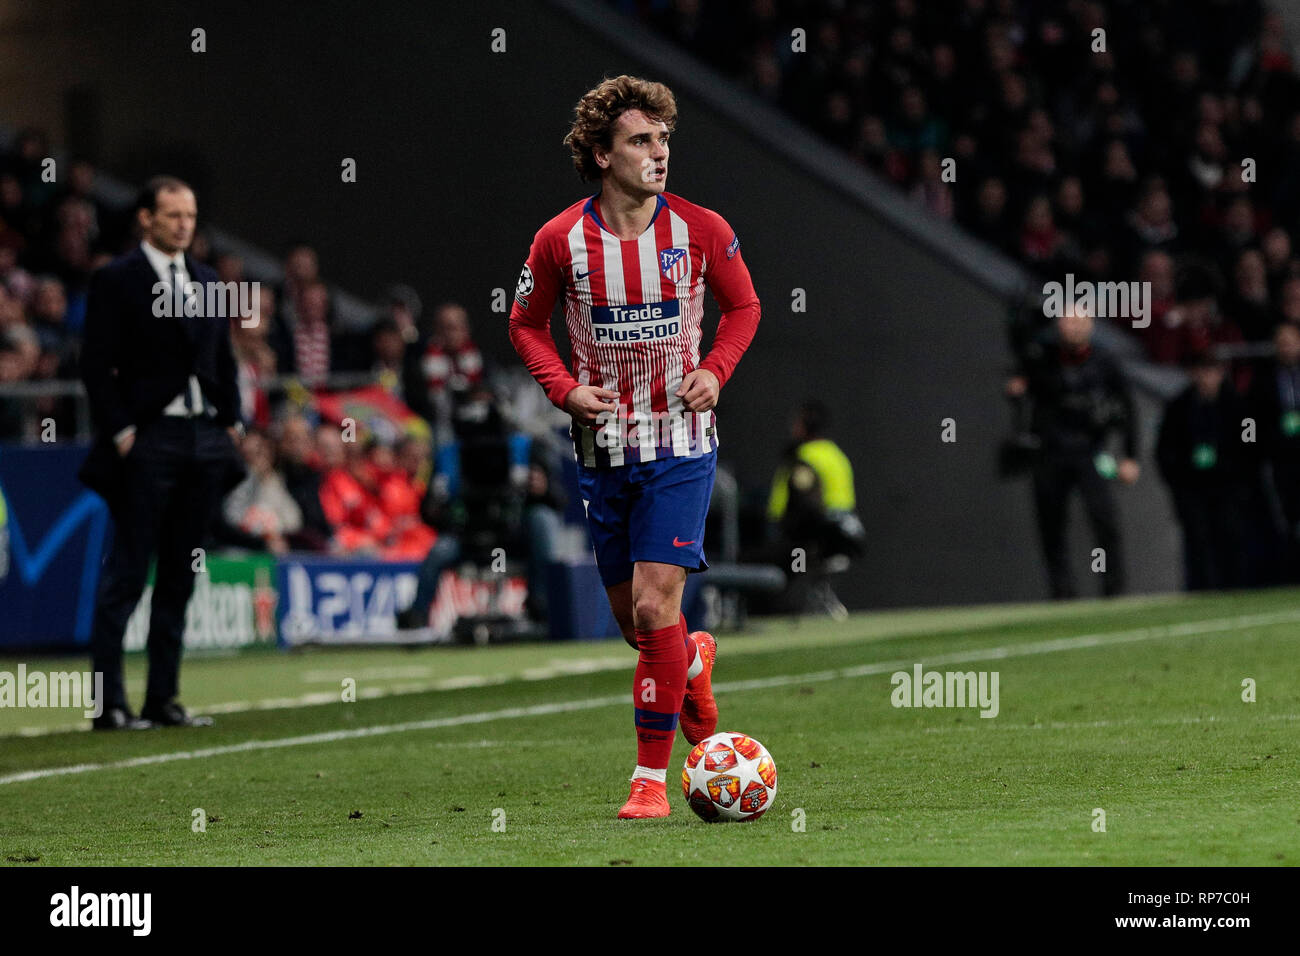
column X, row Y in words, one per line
column 634, row 310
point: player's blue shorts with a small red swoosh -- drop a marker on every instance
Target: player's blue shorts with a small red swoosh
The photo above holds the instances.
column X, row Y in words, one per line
column 648, row 512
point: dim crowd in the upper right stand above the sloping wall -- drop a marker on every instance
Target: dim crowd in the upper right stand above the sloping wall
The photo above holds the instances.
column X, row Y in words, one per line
column 1117, row 165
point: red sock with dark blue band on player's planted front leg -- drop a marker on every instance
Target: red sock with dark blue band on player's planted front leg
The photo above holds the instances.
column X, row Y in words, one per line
column 657, row 693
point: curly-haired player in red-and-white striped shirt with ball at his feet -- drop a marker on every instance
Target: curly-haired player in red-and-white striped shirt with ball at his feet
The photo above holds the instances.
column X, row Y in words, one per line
column 631, row 265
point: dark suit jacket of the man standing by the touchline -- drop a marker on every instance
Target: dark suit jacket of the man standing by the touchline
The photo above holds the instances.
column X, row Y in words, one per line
column 135, row 364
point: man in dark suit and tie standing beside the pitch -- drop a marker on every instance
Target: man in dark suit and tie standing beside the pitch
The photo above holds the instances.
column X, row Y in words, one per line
column 164, row 400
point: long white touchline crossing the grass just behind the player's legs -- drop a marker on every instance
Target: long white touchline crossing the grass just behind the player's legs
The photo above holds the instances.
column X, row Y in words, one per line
column 1078, row 643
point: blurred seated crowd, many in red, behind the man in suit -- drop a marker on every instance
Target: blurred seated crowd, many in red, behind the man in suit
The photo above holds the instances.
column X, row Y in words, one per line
column 411, row 380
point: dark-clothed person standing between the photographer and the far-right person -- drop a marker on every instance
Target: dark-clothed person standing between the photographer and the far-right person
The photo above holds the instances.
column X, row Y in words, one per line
column 1203, row 460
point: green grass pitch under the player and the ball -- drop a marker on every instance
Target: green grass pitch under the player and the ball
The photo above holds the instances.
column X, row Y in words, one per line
column 521, row 755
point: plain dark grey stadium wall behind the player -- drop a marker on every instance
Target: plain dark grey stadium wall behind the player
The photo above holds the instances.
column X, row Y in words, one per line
column 460, row 161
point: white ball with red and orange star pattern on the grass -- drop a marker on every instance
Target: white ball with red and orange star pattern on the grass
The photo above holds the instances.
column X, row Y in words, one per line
column 730, row 777
